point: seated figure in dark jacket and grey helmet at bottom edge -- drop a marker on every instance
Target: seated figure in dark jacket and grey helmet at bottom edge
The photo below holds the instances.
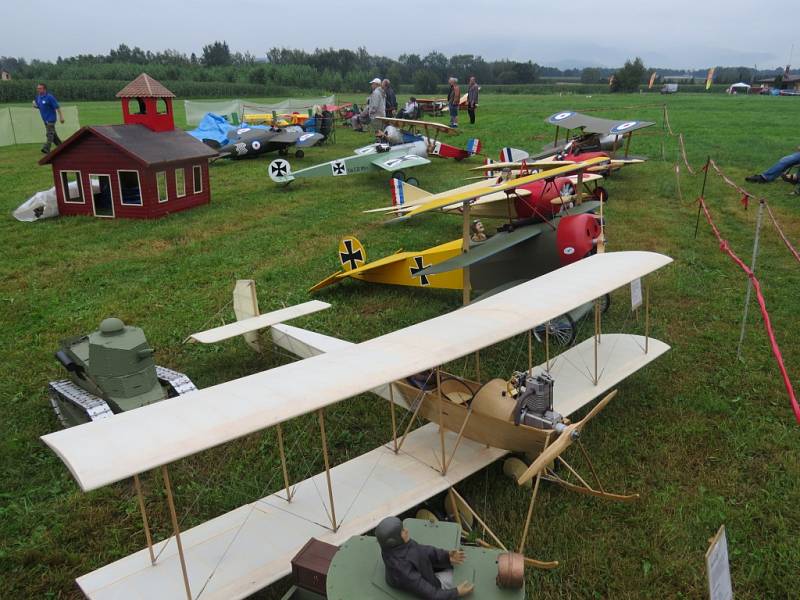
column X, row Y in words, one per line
column 424, row 571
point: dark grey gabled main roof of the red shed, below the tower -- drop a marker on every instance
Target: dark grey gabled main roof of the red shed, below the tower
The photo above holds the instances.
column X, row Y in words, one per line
column 141, row 144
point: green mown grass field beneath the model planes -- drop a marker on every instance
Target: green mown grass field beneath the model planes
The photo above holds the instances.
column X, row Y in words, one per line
column 706, row 439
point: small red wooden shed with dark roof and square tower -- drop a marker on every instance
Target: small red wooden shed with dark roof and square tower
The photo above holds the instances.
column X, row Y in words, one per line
column 143, row 169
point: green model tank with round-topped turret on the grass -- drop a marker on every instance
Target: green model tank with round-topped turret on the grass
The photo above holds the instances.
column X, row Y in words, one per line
column 111, row 370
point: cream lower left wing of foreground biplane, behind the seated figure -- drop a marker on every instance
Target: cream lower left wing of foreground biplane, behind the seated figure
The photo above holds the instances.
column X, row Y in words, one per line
column 252, row 546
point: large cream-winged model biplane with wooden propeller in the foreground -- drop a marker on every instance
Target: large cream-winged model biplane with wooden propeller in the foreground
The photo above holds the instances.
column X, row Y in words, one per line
column 473, row 423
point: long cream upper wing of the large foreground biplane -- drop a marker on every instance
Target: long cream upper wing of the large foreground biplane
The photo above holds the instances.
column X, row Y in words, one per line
column 109, row 450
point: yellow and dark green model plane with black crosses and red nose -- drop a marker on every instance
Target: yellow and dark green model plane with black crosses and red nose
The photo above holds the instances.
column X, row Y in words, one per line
column 539, row 237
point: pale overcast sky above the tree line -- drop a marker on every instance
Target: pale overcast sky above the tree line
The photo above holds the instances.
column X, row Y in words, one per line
column 670, row 33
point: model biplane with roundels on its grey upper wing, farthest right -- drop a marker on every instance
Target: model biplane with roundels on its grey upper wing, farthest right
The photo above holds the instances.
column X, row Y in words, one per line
column 593, row 137
